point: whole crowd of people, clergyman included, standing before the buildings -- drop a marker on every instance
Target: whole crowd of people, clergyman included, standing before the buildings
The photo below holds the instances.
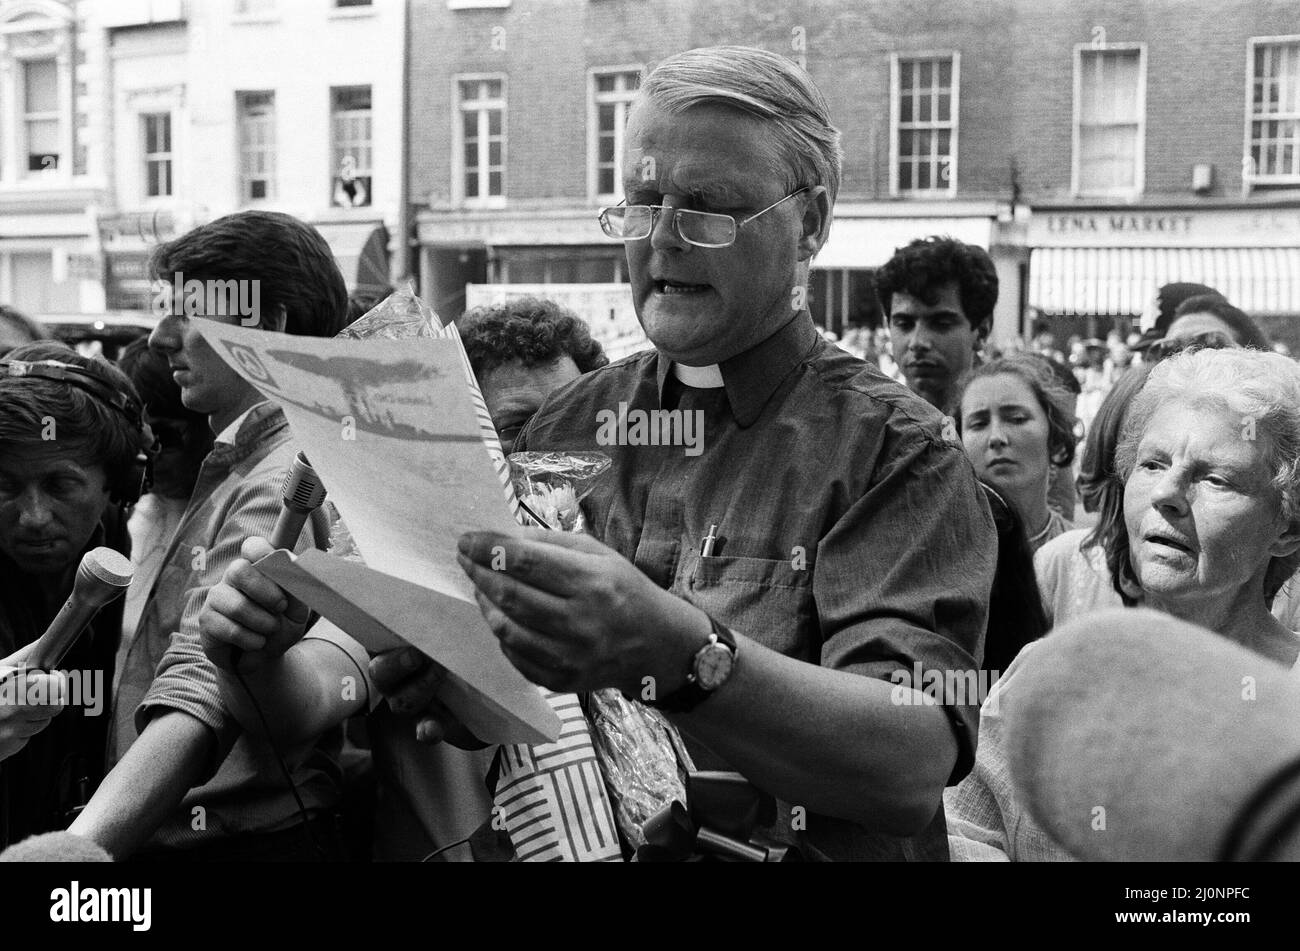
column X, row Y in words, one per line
column 918, row 505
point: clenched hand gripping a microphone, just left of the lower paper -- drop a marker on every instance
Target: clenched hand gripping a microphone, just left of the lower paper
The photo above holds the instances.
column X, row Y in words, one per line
column 248, row 611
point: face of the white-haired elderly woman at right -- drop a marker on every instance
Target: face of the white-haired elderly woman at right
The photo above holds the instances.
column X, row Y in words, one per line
column 1203, row 519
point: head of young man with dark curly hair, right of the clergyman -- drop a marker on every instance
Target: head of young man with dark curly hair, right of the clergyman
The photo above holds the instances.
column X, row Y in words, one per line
column 939, row 297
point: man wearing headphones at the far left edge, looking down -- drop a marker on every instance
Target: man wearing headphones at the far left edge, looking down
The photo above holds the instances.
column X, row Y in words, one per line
column 73, row 451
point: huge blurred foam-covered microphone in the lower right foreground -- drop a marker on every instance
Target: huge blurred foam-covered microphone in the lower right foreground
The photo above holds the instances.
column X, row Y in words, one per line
column 1134, row 736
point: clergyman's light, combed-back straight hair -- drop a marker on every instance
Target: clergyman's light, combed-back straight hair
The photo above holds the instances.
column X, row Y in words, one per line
column 764, row 85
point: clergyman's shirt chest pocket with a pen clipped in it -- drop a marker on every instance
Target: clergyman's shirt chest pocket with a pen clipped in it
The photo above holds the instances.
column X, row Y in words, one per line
column 766, row 600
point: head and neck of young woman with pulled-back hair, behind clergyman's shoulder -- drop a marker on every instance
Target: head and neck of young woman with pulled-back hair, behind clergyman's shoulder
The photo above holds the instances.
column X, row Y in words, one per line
column 1016, row 425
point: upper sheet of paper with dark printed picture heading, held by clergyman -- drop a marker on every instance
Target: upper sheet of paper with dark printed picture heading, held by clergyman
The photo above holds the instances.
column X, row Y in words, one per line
column 392, row 429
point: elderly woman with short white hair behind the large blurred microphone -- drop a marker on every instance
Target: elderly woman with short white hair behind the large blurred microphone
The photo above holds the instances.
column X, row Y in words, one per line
column 1211, row 470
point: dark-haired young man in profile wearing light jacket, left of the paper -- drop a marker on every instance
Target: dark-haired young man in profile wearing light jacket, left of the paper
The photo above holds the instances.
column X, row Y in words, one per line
column 171, row 727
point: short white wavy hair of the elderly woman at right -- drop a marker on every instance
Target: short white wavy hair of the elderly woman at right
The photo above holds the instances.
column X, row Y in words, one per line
column 1262, row 389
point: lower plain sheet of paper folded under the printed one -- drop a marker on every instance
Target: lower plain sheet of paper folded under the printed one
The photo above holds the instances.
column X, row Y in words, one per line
column 483, row 689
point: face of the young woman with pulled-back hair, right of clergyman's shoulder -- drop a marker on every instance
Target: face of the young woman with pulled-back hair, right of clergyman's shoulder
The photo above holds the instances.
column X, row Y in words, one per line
column 1006, row 433
